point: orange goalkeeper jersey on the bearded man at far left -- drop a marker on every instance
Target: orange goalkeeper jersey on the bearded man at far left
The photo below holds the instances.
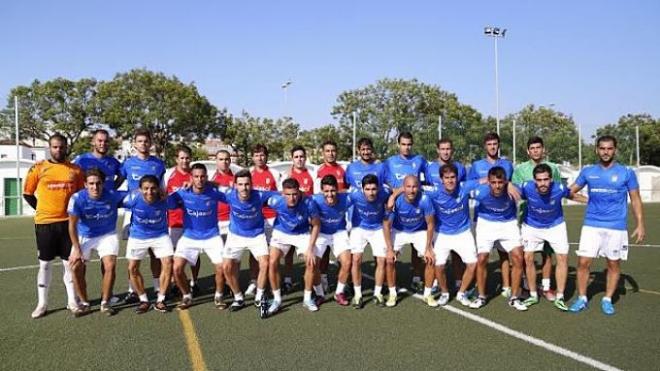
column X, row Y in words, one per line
column 53, row 184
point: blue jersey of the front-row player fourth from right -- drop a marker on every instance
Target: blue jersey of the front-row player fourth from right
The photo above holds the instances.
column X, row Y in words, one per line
column 411, row 217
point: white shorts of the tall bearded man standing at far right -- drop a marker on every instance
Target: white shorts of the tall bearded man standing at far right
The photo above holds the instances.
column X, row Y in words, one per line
column 609, row 243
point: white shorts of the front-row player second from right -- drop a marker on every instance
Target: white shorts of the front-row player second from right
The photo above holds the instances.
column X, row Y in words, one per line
column 489, row 232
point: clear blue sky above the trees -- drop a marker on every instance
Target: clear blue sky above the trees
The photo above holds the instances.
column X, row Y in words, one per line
column 595, row 60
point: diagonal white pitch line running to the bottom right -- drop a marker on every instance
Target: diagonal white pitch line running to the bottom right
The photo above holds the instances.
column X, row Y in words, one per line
column 524, row 337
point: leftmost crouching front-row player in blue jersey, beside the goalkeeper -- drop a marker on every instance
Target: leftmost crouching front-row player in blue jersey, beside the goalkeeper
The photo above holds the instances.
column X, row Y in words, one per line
column 92, row 226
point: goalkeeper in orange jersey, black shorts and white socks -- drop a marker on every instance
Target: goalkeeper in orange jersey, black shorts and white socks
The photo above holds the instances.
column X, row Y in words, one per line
column 48, row 187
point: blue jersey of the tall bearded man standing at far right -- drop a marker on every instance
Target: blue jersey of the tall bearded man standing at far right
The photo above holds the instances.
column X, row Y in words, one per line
column 608, row 195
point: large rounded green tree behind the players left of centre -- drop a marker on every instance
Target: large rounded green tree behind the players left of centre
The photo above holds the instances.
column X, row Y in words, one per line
column 170, row 109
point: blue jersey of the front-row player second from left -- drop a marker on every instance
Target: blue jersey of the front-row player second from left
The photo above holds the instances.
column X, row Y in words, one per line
column 148, row 220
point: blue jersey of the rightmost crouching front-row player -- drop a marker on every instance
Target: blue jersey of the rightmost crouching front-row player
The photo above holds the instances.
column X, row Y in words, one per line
column 544, row 211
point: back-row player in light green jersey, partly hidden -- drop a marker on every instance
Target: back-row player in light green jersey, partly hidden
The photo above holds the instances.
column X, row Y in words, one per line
column 523, row 173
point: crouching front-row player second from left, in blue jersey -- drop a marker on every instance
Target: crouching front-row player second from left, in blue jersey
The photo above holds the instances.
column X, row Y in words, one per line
column 148, row 231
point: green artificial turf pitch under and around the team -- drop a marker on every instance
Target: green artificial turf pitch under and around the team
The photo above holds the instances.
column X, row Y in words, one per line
column 410, row 335
